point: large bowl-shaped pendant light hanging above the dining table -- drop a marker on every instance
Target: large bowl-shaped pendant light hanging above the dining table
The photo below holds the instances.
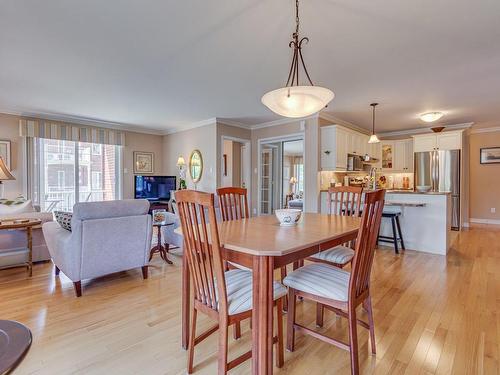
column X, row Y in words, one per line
column 295, row 100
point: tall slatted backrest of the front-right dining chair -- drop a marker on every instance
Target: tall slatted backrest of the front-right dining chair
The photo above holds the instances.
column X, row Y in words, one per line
column 365, row 243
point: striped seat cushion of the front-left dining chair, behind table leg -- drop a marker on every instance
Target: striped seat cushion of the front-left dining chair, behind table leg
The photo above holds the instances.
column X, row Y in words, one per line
column 239, row 291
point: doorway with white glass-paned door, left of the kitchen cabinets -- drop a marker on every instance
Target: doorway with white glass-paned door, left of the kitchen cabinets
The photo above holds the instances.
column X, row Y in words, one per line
column 281, row 174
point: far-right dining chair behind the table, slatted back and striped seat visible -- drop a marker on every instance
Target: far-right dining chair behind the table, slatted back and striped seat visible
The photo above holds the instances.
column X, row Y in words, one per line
column 343, row 201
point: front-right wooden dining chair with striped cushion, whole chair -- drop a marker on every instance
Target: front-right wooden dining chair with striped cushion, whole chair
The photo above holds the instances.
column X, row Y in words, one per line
column 339, row 290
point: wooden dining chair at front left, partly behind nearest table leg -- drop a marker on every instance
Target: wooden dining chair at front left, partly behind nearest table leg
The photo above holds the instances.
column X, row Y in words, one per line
column 225, row 296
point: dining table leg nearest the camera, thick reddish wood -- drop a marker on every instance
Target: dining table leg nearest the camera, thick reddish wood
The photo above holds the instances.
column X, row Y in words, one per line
column 262, row 315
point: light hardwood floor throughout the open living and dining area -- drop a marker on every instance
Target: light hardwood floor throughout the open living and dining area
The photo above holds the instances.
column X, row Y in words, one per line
column 433, row 315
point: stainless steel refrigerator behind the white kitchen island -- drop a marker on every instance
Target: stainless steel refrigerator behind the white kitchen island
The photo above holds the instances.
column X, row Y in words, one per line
column 441, row 171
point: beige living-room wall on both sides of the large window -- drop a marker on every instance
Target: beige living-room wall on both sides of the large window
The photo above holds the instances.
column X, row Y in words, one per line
column 9, row 130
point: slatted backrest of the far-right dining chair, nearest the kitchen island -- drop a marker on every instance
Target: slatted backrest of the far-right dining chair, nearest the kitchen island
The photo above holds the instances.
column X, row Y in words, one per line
column 344, row 200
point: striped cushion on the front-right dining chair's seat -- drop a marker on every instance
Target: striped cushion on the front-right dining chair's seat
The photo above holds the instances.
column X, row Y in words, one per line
column 321, row 280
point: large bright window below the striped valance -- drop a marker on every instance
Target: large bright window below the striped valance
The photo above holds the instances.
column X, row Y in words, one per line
column 64, row 173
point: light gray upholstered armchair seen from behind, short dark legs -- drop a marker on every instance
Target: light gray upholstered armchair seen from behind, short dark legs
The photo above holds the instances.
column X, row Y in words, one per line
column 106, row 237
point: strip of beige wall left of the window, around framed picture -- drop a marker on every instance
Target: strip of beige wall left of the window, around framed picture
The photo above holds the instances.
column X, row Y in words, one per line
column 9, row 131
